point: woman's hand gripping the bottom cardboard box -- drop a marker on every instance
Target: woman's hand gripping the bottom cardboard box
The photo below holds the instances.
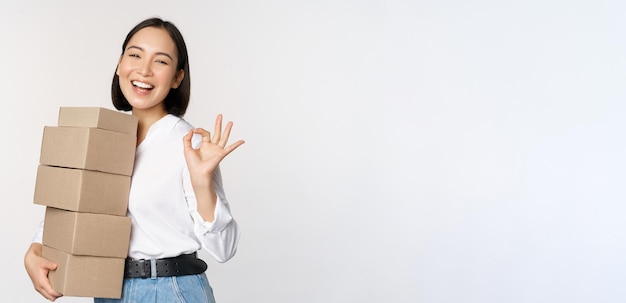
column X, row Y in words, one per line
column 38, row 269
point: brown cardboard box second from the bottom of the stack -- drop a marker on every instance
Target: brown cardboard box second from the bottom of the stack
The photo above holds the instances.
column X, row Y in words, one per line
column 86, row 234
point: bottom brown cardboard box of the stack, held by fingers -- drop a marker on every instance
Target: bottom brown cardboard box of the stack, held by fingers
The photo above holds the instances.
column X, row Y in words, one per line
column 85, row 276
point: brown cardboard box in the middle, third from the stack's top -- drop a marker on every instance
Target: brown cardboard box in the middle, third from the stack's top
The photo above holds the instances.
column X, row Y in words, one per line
column 82, row 190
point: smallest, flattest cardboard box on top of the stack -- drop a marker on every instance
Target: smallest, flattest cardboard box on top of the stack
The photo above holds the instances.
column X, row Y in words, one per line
column 97, row 117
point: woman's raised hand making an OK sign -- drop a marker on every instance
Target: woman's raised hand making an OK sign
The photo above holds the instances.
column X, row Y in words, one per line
column 204, row 160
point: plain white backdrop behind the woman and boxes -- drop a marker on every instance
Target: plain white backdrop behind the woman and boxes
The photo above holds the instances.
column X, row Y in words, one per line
column 397, row 151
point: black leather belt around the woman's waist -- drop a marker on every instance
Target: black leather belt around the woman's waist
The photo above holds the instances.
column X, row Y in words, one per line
column 167, row 267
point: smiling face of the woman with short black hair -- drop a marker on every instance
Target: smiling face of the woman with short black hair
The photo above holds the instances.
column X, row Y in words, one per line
column 147, row 69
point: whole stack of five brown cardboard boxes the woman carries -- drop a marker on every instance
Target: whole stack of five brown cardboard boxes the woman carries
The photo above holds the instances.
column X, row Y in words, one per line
column 84, row 181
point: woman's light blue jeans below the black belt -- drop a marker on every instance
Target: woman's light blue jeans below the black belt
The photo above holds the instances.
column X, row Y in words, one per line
column 182, row 289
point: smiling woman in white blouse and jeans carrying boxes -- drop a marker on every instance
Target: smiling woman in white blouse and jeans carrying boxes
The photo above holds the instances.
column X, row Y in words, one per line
column 177, row 202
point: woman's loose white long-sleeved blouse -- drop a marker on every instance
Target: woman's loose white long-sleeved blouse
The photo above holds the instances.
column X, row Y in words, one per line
column 162, row 203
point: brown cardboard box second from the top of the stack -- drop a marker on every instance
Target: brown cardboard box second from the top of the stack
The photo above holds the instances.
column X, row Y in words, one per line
column 88, row 148
